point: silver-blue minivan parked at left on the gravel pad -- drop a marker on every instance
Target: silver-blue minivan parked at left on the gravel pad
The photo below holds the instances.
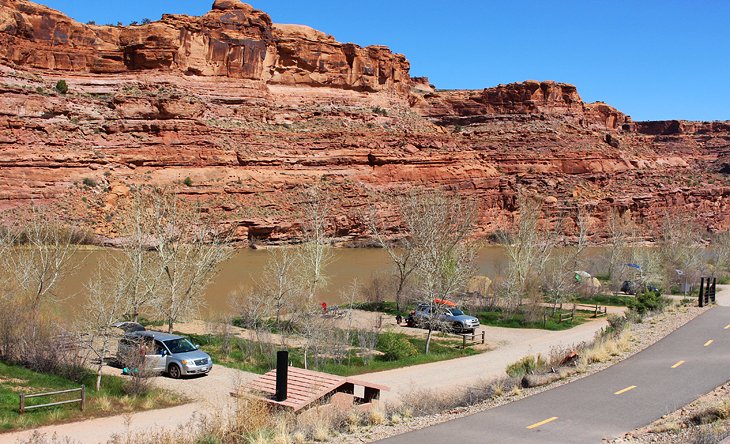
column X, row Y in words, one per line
column 163, row 352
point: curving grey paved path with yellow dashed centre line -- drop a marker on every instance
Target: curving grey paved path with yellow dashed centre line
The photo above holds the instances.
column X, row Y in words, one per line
column 690, row 362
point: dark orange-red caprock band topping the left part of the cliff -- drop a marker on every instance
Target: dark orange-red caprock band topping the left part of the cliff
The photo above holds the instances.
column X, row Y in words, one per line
column 233, row 40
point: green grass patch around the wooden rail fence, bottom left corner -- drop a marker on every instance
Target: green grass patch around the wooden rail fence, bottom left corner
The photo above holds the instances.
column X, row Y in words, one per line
column 110, row 400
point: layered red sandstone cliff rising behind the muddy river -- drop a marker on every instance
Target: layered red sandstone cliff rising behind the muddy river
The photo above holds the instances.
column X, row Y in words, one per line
column 253, row 113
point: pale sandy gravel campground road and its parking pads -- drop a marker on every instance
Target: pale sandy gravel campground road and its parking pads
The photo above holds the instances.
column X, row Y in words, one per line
column 211, row 393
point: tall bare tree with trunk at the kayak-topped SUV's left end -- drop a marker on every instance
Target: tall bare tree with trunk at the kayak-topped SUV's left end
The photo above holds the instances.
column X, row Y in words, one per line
column 439, row 227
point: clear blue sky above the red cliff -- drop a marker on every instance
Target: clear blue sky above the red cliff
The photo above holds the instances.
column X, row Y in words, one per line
column 653, row 59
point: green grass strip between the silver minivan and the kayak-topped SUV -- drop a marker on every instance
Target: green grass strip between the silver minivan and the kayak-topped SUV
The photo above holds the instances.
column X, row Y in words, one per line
column 250, row 356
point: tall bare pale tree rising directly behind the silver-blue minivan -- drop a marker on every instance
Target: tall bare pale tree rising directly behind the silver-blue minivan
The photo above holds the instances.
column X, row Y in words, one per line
column 190, row 250
